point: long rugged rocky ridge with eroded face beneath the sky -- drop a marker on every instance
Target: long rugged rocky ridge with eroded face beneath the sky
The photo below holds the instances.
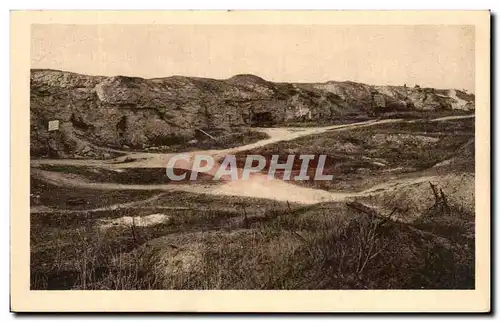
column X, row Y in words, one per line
column 113, row 112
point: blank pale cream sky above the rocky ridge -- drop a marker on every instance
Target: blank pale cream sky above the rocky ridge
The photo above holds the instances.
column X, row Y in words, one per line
column 438, row 56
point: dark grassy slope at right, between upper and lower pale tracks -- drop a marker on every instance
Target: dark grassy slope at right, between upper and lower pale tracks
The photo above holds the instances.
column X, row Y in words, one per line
column 363, row 157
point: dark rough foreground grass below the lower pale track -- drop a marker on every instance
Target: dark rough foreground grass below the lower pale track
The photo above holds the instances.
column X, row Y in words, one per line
column 328, row 246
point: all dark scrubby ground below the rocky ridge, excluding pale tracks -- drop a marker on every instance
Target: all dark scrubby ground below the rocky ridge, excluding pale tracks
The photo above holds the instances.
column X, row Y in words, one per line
column 418, row 236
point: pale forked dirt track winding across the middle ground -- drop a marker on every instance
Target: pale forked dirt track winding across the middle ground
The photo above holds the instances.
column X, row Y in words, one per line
column 257, row 186
